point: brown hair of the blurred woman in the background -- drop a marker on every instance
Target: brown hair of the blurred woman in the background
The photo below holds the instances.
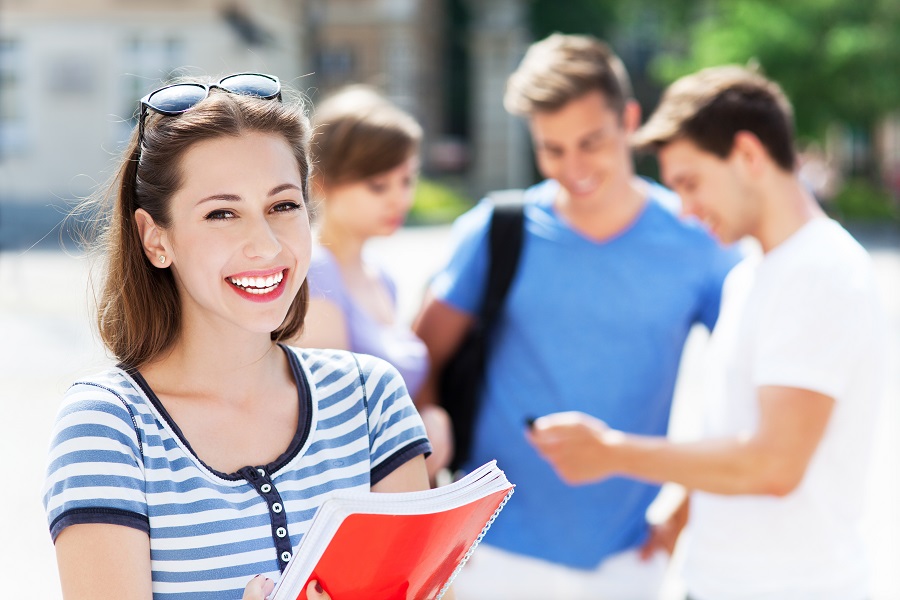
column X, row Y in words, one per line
column 358, row 134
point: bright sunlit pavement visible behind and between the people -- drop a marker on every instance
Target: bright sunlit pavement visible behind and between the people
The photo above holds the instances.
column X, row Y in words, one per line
column 46, row 339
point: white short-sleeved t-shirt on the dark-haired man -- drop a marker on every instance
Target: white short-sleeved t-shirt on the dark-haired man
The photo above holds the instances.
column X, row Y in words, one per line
column 804, row 315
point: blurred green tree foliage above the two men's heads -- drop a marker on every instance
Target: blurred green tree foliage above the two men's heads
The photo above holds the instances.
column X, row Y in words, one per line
column 836, row 59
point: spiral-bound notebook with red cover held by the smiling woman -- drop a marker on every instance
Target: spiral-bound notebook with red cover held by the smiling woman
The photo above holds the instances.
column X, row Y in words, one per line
column 395, row 546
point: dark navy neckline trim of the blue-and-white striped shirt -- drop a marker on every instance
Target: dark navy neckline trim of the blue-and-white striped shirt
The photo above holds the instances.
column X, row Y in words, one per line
column 304, row 421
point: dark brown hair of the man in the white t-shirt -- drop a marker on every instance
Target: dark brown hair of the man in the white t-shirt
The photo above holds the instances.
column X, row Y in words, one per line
column 712, row 105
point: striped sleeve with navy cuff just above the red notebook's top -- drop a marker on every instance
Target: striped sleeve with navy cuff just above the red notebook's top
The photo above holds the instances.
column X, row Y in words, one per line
column 397, row 432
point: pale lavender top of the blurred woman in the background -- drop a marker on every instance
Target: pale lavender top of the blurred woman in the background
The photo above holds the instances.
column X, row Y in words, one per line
column 394, row 342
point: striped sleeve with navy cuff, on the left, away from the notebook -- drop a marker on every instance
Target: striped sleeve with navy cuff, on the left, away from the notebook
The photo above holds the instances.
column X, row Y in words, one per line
column 95, row 472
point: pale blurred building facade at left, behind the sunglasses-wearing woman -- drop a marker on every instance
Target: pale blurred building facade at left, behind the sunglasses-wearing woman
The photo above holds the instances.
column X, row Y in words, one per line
column 72, row 72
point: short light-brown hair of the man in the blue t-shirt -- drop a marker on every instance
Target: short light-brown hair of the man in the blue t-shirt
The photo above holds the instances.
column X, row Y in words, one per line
column 562, row 68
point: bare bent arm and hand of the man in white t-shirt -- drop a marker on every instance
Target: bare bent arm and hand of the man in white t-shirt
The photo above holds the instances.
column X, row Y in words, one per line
column 772, row 460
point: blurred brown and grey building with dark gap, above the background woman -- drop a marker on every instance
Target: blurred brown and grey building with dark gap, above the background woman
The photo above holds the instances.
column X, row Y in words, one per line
column 404, row 47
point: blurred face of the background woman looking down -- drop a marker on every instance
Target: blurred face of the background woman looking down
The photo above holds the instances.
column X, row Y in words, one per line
column 374, row 206
